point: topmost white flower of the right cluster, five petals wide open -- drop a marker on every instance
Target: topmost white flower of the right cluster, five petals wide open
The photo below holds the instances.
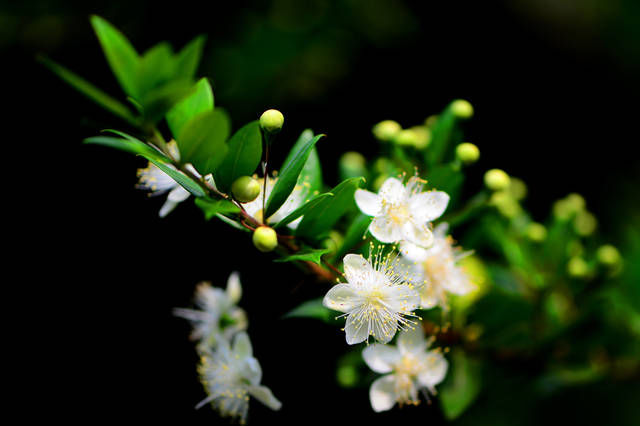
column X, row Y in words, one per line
column 402, row 213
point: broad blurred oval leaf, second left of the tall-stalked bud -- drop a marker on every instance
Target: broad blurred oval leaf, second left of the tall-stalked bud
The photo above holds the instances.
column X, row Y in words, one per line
column 202, row 140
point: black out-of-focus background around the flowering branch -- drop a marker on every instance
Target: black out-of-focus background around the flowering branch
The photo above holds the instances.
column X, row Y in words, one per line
column 555, row 91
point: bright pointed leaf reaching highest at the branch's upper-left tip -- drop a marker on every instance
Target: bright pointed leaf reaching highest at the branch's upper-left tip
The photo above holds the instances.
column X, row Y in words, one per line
column 122, row 57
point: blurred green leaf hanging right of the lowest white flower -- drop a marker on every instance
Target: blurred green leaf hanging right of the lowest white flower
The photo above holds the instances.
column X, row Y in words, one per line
column 461, row 387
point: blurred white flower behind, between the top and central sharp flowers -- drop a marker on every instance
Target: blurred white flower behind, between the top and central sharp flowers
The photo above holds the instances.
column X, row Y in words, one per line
column 436, row 267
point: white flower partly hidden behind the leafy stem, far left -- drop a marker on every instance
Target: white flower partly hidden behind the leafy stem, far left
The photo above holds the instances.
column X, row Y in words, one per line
column 158, row 182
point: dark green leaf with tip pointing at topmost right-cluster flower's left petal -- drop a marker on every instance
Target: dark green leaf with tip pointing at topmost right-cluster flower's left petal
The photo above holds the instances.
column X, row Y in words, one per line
column 319, row 221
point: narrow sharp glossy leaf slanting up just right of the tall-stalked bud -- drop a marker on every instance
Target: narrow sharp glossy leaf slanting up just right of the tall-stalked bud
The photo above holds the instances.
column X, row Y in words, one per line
column 289, row 174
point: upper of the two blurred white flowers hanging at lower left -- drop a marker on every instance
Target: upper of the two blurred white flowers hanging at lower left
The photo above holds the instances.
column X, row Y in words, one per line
column 218, row 317
